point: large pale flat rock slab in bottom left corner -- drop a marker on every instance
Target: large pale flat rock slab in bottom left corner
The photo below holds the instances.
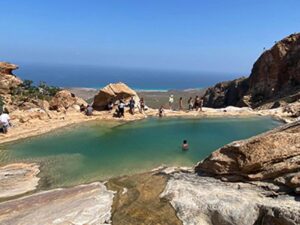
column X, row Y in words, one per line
column 85, row 204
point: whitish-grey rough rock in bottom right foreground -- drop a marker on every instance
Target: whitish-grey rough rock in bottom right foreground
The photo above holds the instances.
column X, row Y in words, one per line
column 208, row 201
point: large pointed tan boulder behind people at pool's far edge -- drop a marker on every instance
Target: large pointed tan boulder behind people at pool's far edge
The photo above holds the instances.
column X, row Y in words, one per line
column 113, row 92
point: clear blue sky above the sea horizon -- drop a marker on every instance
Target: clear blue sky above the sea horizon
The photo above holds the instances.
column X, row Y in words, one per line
column 204, row 35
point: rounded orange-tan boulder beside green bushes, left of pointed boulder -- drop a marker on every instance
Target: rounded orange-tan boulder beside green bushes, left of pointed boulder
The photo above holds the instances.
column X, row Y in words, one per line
column 64, row 100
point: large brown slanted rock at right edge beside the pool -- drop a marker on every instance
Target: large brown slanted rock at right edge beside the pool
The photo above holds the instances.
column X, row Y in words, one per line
column 263, row 157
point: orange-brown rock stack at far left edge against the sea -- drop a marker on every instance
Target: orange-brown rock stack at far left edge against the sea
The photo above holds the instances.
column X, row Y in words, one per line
column 8, row 80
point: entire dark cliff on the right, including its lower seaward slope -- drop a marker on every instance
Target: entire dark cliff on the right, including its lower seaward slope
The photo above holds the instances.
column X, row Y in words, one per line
column 274, row 75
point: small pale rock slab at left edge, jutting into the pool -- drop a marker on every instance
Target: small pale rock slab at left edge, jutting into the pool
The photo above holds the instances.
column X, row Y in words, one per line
column 17, row 179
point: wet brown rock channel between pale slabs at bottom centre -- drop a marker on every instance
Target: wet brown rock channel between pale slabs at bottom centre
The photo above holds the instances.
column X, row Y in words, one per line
column 137, row 200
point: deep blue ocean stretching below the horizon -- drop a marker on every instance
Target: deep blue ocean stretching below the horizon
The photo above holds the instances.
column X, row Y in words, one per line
column 97, row 77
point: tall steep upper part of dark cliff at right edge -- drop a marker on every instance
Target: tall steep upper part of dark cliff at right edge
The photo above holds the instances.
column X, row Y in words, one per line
column 277, row 71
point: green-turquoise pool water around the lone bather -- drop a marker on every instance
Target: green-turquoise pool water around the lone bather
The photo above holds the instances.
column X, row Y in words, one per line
column 84, row 153
